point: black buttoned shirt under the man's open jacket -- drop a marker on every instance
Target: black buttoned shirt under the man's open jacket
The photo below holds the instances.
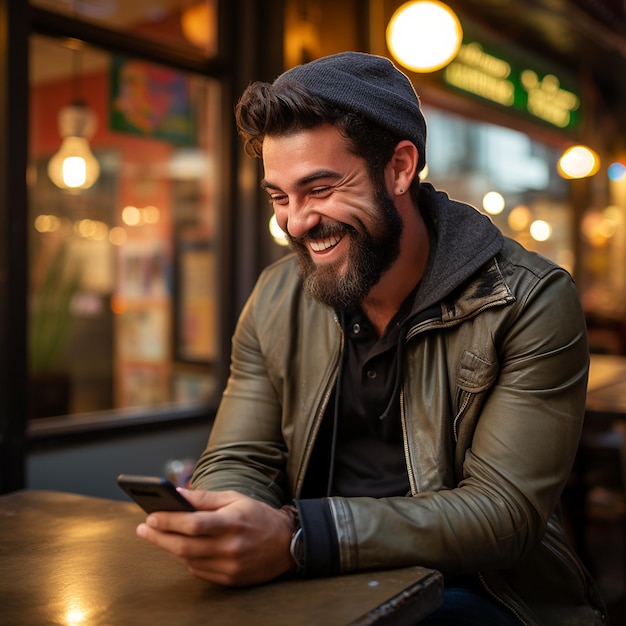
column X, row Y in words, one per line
column 369, row 455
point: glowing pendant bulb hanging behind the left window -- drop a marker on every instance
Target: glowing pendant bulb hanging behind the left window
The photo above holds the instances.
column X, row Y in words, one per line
column 74, row 167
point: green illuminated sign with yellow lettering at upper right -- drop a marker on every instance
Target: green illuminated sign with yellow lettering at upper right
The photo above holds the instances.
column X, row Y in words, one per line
column 492, row 78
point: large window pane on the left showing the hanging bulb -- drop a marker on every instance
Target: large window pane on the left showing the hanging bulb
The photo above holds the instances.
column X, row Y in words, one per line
column 123, row 271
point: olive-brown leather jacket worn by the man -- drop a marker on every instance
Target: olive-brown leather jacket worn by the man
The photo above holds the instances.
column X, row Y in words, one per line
column 492, row 403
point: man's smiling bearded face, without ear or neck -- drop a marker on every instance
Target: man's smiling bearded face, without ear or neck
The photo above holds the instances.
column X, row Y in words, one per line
column 345, row 233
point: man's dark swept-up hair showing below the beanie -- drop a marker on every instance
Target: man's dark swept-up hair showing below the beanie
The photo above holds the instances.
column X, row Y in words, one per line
column 266, row 109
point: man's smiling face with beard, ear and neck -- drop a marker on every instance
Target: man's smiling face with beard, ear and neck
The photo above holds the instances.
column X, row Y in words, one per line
column 354, row 242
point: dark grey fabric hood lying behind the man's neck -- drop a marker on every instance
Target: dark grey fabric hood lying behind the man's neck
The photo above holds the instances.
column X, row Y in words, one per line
column 462, row 241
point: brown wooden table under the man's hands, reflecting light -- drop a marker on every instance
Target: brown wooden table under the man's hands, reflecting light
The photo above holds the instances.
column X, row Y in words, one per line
column 74, row 560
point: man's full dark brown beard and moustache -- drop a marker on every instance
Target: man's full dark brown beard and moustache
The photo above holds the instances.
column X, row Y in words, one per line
column 369, row 256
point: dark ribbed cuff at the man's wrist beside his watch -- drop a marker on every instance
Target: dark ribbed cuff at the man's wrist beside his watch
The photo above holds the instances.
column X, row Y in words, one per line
column 321, row 546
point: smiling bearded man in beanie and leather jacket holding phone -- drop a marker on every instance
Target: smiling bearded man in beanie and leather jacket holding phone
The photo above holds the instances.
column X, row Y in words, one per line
column 408, row 388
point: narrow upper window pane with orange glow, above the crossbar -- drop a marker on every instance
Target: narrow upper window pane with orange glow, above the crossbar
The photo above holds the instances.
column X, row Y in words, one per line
column 186, row 24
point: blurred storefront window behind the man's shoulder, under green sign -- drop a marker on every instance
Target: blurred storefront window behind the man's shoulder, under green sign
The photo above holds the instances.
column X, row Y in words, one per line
column 507, row 175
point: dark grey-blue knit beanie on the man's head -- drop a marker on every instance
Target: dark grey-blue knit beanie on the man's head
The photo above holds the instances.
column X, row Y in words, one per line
column 366, row 84
